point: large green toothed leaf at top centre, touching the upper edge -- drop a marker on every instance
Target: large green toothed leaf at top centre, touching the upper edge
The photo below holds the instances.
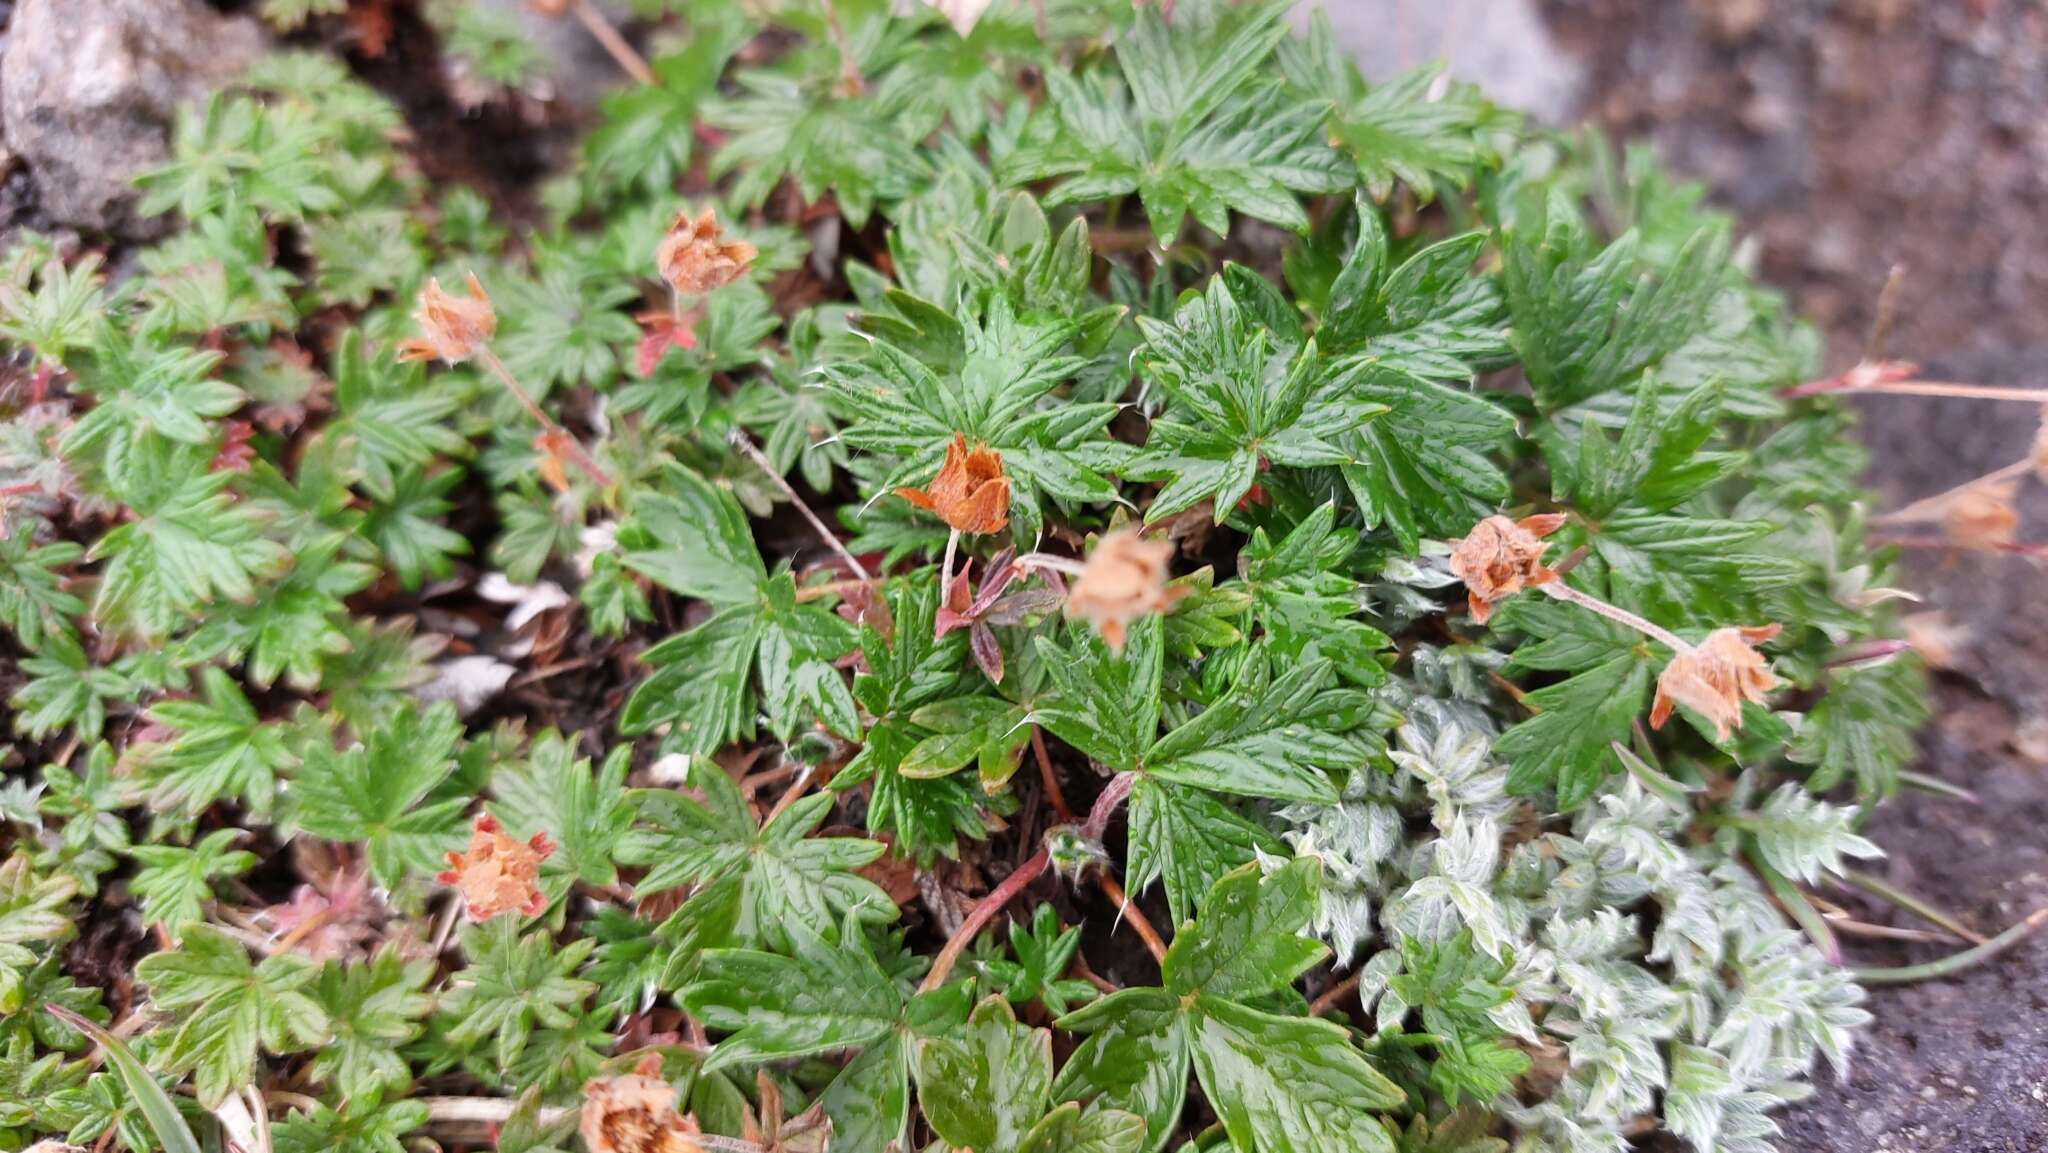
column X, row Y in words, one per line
column 1189, row 128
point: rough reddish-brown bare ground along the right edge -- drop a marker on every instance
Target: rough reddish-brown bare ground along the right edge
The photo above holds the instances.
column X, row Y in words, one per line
column 1852, row 136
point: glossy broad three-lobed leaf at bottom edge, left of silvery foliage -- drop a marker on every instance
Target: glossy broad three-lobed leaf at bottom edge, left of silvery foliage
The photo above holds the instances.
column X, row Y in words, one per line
column 1281, row 1084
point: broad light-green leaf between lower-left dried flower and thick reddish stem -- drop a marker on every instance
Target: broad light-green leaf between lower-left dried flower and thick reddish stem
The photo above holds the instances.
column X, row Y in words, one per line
column 787, row 880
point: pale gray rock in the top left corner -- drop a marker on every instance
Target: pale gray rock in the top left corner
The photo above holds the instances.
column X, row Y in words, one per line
column 89, row 91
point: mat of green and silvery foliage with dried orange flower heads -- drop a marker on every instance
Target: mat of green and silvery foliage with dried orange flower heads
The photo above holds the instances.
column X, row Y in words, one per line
column 1035, row 579
